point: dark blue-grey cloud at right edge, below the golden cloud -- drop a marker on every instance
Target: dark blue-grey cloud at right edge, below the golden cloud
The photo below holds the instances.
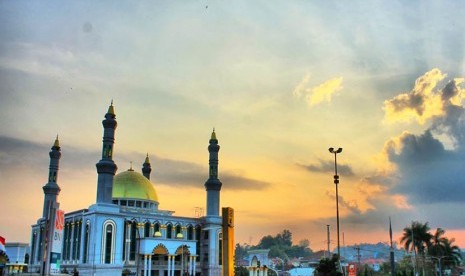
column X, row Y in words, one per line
column 428, row 172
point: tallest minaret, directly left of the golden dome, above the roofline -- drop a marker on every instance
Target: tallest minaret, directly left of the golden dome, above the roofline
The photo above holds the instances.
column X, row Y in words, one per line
column 106, row 168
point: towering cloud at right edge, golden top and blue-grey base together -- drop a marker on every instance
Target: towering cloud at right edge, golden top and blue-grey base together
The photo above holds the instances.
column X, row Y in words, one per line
column 424, row 169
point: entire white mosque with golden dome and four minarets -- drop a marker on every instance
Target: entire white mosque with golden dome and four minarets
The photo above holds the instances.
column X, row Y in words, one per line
column 125, row 232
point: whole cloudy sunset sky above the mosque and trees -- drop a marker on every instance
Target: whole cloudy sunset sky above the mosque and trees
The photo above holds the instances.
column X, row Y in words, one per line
column 280, row 81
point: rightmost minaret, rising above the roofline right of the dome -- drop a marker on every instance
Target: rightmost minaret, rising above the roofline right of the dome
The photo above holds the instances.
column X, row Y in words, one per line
column 213, row 184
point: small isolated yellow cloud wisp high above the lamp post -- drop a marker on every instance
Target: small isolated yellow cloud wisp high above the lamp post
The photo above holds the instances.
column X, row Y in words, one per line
column 318, row 94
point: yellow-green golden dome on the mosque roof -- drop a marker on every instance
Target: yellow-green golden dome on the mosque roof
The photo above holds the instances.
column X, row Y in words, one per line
column 133, row 185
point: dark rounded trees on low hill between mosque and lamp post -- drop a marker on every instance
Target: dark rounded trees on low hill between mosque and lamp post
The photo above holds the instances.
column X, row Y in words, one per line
column 280, row 246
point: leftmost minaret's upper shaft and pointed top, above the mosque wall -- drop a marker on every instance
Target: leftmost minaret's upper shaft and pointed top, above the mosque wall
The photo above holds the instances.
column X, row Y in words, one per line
column 51, row 189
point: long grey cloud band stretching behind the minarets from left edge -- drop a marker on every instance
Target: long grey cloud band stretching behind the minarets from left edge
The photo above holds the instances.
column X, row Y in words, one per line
column 16, row 153
